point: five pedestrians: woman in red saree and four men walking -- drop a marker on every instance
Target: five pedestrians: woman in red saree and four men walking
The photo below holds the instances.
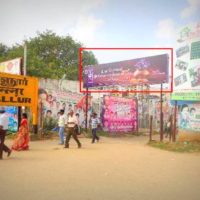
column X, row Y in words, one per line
column 69, row 125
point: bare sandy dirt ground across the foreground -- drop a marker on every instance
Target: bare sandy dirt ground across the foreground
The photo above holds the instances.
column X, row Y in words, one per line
column 113, row 169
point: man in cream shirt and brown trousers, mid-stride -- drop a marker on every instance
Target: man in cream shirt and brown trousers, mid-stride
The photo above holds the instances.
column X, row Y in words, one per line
column 71, row 122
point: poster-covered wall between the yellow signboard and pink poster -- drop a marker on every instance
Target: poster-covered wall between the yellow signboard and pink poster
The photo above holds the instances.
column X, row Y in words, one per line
column 55, row 95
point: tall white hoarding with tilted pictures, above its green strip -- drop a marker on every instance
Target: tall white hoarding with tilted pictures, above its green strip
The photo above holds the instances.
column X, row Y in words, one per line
column 187, row 59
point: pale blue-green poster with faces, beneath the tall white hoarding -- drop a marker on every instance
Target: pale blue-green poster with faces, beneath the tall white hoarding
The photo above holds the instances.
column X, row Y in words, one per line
column 189, row 117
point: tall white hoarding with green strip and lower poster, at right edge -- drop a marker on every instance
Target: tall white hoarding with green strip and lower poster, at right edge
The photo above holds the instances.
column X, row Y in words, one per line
column 187, row 80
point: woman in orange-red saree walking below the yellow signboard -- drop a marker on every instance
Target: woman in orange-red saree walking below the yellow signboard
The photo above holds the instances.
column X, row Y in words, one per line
column 21, row 141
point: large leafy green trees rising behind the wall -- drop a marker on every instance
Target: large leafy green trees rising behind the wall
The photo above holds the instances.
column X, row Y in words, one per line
column 49, row 56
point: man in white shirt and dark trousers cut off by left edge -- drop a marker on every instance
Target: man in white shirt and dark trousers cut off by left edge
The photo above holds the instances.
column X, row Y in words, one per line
column 3, row 130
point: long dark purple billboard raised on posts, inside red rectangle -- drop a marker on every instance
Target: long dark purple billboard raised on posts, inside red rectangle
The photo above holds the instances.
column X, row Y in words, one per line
column 147, row 70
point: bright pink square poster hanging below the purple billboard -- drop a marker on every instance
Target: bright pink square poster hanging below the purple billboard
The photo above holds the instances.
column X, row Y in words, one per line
column 119, row 114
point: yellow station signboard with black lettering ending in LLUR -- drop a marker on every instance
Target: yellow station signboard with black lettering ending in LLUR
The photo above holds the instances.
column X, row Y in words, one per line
column 16, row 90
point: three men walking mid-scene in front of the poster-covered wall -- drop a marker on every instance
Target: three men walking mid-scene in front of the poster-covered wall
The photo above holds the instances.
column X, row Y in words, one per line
column 71, row 125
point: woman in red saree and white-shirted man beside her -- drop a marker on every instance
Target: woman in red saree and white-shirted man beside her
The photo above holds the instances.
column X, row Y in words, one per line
column 21, row 141
